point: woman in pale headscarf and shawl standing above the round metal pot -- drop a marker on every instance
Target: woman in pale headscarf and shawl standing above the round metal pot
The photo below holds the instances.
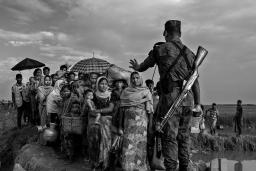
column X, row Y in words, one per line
column 43, row 92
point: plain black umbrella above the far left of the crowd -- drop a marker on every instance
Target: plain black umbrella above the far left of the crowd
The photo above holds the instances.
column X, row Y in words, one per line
column 27, row 64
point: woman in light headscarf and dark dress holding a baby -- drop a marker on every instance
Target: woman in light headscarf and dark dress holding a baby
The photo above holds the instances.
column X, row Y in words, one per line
column 99, row 135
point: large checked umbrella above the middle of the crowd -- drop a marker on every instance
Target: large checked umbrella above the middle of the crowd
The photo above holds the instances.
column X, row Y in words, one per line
column 91, row 65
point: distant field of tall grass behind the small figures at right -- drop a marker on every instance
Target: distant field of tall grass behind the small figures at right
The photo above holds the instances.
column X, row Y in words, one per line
column 227, row 113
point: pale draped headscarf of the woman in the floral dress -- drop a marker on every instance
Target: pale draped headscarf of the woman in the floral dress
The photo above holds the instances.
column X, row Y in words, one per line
column 135, row 95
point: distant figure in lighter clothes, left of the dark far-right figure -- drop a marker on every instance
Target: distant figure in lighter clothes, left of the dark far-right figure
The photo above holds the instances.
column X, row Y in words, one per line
column 213, row 116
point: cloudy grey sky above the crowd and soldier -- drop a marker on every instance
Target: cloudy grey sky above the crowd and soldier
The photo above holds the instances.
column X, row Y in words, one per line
column 56, row 32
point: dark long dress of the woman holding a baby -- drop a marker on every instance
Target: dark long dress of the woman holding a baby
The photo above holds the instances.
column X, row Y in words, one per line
column 99, row 136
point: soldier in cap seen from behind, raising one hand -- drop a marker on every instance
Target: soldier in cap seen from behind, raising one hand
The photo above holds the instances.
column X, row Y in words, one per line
column 175, row 64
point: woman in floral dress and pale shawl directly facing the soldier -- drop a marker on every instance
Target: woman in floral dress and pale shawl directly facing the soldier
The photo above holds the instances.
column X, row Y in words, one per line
column 137, row 108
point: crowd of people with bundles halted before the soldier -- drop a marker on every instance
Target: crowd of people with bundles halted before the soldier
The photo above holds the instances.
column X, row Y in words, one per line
column 106, row 110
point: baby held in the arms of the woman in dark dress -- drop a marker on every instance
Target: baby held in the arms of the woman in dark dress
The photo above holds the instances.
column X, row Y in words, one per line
column 91, row 105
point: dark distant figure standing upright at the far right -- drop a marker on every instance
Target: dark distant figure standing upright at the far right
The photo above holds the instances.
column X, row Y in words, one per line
column 238, row 118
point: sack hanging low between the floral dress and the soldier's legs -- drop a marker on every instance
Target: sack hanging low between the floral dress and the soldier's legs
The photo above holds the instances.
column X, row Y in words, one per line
column 157, row 162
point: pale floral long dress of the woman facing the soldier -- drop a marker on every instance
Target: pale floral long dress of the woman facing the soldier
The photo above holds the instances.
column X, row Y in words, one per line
column 134, row 152
